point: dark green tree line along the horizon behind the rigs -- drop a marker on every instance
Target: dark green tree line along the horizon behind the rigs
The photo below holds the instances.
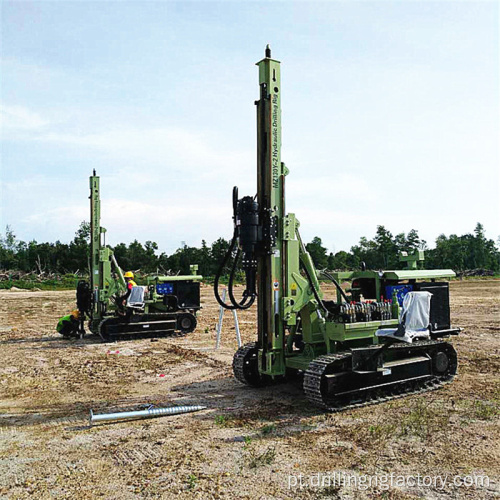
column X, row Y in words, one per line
column 460, row 253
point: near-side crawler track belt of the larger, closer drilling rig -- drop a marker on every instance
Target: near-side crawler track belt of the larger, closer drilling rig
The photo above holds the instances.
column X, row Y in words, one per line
column 317, row 368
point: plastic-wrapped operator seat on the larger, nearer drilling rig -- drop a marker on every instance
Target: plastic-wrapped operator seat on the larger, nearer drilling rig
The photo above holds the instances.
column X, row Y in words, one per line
column 414, row 320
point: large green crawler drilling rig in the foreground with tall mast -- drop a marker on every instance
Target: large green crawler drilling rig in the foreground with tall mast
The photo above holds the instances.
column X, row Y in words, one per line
column 382, row 339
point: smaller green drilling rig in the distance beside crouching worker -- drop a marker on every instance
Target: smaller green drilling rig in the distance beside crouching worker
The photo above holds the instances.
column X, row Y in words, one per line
column 165, row 306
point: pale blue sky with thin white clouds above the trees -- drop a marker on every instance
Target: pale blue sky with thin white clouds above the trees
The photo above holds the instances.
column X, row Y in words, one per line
column 390, row 116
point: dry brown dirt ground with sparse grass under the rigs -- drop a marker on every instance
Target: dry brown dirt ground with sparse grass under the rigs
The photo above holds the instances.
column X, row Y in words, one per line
column 249, row 443
